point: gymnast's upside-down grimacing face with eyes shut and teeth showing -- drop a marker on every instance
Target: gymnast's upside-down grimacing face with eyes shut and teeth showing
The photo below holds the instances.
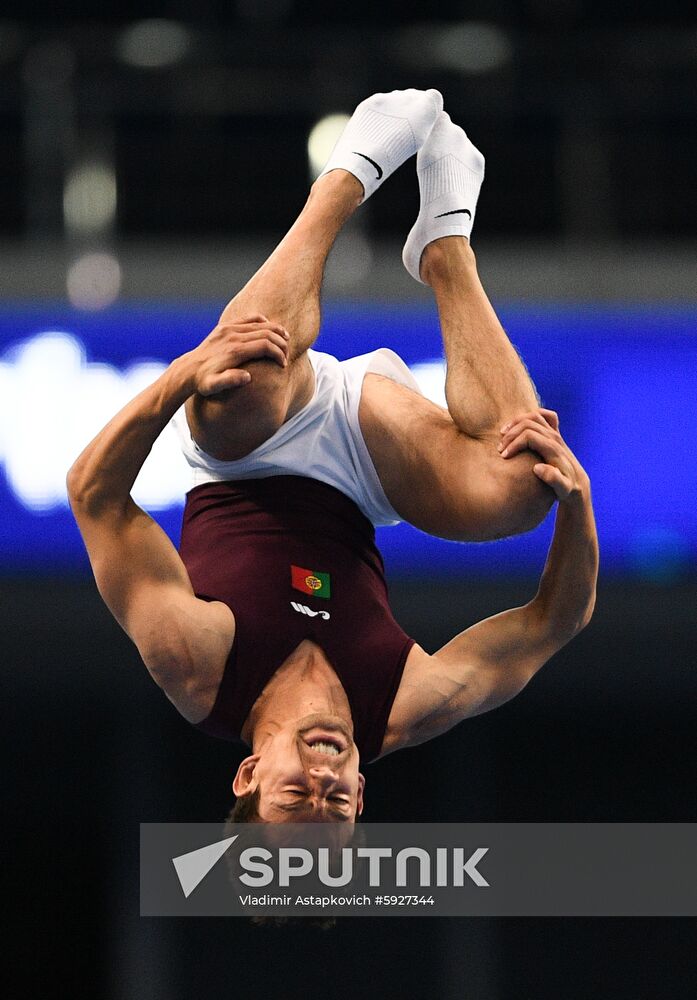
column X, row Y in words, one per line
column 307, row 772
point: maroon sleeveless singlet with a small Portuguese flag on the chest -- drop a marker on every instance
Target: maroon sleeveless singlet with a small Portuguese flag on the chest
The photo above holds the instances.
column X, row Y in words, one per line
column 269, row 548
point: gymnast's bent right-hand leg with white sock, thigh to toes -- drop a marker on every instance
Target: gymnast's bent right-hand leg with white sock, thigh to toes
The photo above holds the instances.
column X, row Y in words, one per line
column 442, row 471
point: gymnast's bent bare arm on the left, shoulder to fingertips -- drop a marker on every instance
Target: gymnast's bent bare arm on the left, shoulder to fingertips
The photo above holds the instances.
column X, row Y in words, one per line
column 137, row 569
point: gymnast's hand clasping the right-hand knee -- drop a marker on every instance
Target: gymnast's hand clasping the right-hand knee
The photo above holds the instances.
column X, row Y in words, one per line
column 538, row 431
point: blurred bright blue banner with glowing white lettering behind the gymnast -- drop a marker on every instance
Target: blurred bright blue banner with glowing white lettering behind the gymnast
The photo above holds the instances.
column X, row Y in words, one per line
column 623, row 379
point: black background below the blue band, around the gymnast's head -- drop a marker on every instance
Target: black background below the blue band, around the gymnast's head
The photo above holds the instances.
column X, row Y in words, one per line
column 605, row 733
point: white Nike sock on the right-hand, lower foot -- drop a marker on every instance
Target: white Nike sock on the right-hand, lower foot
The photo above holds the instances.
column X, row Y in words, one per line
column 451, row 171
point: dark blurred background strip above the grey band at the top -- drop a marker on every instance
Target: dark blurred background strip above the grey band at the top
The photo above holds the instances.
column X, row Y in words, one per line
column 585, row 109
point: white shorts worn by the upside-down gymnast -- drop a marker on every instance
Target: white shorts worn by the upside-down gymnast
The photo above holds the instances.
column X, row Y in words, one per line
column 322, row 441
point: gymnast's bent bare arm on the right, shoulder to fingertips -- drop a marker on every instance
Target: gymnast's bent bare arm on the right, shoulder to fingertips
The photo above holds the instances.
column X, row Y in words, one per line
column 492, row 661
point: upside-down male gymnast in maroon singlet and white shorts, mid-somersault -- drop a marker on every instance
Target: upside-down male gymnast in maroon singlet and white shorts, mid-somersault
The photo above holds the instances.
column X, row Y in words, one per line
column 272, row 625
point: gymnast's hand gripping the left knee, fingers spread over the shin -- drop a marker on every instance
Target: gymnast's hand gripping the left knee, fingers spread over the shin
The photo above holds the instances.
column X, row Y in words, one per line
column 217, row 359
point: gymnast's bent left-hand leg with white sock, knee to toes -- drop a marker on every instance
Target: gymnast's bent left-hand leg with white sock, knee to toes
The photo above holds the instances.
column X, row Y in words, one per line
column 384, row 131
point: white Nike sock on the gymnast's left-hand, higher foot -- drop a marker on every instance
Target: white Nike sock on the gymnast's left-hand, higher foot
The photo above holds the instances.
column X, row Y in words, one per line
column 383, row 132
